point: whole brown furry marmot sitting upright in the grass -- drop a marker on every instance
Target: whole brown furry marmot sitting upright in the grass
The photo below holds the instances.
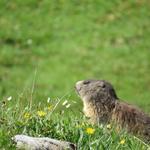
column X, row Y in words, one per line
column 102, row 105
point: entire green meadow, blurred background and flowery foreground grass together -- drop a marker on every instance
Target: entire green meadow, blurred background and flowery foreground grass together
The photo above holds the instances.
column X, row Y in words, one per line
column 47, row 46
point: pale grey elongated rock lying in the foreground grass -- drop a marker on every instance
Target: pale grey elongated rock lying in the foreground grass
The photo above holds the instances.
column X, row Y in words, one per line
column 24, row 142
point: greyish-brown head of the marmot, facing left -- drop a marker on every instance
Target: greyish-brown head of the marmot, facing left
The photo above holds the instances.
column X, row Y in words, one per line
column 96, row 91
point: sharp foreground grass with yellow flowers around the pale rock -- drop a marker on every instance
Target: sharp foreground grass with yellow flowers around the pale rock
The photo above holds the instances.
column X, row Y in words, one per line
column 44, row 121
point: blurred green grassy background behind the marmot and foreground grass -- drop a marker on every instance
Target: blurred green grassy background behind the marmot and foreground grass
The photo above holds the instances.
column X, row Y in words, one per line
column 64, row 41
